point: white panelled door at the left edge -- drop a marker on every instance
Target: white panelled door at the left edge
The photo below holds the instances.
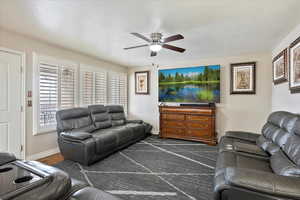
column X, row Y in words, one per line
column 10, row 103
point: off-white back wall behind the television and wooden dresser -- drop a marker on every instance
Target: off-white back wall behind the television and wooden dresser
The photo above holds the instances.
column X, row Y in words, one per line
column 235, row 112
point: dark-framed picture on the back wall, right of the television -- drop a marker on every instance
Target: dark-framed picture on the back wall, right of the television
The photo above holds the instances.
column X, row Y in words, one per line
column 243, row 78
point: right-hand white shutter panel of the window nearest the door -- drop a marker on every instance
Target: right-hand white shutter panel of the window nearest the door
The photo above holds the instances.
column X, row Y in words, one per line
column 67, row 88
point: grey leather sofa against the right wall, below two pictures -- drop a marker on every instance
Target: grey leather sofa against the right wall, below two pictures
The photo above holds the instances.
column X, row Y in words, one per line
column 263, row 166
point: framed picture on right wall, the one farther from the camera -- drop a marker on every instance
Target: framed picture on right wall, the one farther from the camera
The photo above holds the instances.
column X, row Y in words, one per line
column 280, row 73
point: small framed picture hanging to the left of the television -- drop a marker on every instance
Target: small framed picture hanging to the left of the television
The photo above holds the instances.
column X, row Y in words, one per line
column 142, row 82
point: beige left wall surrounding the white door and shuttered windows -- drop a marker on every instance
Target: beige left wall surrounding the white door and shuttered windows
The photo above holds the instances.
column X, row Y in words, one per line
column 41, row 144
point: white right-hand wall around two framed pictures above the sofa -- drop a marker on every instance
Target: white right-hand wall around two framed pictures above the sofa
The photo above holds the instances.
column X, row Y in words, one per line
column 282, row 99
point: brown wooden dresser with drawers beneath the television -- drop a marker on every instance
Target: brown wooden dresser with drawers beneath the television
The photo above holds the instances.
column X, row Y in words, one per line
column 188, row 122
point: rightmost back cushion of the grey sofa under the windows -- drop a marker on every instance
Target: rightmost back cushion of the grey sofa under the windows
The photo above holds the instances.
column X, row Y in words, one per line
column 117, row 114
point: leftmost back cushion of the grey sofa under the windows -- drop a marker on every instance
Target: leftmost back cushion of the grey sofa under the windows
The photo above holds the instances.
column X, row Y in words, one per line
column 74, row 119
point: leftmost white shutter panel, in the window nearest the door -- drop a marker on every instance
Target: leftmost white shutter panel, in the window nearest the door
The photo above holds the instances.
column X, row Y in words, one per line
column 48, row 94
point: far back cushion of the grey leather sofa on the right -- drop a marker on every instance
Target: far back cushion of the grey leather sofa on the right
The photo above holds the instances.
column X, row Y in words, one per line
column 276, row 131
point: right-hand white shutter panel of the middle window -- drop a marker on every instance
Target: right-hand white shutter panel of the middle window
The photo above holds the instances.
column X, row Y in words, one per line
column 100, row 88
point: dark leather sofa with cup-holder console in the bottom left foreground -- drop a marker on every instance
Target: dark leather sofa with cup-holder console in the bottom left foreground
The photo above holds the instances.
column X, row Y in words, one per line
column 32, row 180
